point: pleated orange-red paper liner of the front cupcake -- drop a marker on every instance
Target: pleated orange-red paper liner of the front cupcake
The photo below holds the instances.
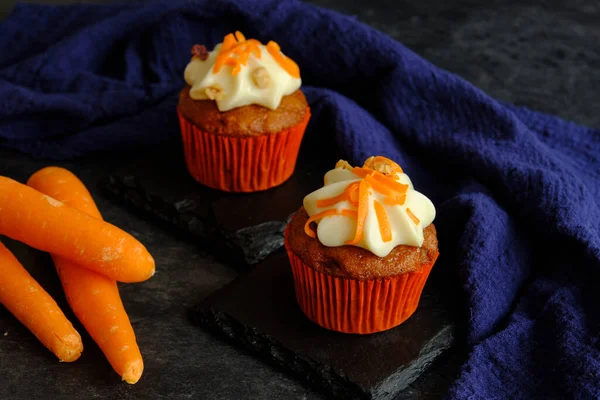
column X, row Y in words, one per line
column 354, row 306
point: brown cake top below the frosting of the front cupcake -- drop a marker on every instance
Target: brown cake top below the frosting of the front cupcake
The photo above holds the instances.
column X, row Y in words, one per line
column 357, row 263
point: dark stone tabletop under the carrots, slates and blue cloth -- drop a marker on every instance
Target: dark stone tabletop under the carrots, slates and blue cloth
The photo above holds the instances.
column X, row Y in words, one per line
column 541, row 54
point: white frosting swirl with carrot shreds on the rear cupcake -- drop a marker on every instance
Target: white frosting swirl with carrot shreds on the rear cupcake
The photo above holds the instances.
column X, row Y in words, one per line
column 240, row 72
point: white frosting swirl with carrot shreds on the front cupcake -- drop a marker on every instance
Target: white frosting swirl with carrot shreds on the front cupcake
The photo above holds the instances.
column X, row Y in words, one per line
column 374, row 207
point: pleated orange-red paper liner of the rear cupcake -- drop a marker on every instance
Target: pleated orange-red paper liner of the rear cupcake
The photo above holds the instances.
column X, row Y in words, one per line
column 241, row 164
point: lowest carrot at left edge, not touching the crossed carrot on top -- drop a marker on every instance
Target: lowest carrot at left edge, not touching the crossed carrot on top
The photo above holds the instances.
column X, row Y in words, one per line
column 33, row 306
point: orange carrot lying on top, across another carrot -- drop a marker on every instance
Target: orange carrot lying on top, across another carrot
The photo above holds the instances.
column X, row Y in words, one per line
column 47, row 224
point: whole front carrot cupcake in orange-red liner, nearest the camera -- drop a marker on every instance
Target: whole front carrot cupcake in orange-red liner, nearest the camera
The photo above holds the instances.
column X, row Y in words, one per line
column 364, row 267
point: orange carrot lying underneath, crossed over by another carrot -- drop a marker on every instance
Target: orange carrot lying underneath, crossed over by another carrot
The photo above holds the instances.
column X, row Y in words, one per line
column 93, row 298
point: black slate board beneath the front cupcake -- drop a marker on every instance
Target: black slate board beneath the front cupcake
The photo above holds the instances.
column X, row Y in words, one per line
column 259, row 312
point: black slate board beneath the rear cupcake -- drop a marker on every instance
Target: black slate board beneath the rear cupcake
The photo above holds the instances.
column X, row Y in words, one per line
column 243, row 227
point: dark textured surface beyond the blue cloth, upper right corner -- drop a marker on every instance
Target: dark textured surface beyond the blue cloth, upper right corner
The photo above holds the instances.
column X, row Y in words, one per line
column 542, row 54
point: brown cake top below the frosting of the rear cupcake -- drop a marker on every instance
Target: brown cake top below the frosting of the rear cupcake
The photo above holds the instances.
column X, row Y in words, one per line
column 251, row 120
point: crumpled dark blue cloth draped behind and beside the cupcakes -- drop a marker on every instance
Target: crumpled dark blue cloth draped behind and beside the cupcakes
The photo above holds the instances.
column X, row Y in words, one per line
column 516, row 191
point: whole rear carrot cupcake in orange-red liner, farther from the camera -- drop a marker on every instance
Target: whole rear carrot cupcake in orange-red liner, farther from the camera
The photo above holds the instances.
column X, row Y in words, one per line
column 242, row 115
